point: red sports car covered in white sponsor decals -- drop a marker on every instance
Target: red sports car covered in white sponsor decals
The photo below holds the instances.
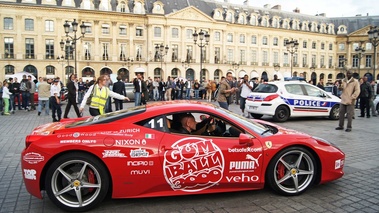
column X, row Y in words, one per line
column 168, row 149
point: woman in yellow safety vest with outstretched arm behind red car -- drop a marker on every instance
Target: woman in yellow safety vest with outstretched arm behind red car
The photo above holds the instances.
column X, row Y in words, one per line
column 100, row 94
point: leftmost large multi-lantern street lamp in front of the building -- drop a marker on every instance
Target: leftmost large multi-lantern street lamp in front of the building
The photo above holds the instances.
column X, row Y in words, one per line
column 71, row 41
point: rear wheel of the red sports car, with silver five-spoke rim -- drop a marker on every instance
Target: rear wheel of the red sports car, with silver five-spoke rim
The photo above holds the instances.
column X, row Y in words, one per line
column 65, row 183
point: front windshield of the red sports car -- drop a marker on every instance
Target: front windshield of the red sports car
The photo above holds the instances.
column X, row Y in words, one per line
column 254, row 126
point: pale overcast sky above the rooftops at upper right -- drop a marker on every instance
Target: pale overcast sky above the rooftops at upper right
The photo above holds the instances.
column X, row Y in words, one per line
column 332, row 8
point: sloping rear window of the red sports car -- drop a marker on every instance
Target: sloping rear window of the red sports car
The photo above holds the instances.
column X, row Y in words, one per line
column 108, row 117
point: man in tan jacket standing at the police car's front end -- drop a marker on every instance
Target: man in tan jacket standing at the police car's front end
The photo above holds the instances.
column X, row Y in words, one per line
column 350, row 92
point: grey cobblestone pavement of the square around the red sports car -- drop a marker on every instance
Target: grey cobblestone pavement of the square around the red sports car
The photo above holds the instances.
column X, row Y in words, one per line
column 357, row 191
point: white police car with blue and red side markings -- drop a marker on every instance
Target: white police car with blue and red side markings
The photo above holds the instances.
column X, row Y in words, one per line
column 291, row 98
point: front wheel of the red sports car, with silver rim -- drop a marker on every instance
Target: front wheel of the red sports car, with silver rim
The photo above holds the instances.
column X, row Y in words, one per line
column 292, row 171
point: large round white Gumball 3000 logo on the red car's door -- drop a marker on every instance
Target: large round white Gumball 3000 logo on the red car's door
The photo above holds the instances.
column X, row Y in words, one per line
column 193, row 164
